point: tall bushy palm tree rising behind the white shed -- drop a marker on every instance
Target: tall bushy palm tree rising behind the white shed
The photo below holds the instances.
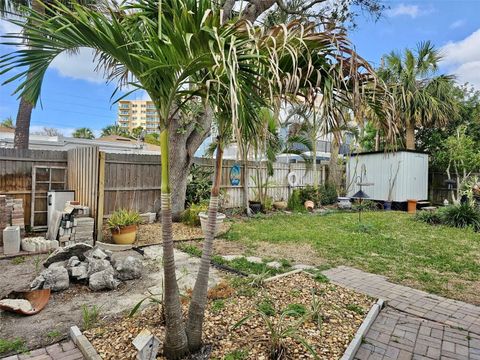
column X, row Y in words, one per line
column 421, row 98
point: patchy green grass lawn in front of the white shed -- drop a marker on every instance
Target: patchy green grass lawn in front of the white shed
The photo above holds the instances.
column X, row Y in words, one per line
column 437, row 259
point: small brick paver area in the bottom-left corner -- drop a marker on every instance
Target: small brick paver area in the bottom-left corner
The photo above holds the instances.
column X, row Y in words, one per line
column 61, row 351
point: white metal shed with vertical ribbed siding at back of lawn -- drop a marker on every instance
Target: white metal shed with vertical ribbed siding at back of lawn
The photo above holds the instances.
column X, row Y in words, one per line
column 404, row 173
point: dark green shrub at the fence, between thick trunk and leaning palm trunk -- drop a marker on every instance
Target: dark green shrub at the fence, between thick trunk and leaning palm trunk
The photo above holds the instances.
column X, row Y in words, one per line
column 199, row 185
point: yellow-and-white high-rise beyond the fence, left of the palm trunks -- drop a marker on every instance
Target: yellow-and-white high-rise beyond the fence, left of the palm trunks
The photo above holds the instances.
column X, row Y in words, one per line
column 135, row 113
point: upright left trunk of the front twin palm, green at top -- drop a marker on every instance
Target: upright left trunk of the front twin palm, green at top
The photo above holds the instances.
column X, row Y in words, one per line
column 176, row 344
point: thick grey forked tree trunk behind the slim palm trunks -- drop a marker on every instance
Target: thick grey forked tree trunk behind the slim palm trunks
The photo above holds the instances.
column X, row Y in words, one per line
column 184, row 142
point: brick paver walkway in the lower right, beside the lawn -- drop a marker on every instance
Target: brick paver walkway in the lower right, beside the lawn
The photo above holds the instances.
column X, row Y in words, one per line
column 414, row 324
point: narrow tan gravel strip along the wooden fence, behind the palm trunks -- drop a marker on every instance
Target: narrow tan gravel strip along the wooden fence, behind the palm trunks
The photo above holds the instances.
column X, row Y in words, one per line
column 149, row 234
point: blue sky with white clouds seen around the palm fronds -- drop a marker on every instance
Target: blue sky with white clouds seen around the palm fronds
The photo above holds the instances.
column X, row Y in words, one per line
column 73, row 95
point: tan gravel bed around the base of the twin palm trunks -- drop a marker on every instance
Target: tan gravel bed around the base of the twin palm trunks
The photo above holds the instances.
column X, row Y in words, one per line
column 342, row 311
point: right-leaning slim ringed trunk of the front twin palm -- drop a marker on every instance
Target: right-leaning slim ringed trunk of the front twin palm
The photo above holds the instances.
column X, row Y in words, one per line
column 196, row 311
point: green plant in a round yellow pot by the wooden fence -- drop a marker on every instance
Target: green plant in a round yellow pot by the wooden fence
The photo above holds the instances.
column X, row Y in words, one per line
column 123, row 225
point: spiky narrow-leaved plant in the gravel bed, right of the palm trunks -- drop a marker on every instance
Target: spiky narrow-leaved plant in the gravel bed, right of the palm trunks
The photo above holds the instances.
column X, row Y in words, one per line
column 279, row 330
